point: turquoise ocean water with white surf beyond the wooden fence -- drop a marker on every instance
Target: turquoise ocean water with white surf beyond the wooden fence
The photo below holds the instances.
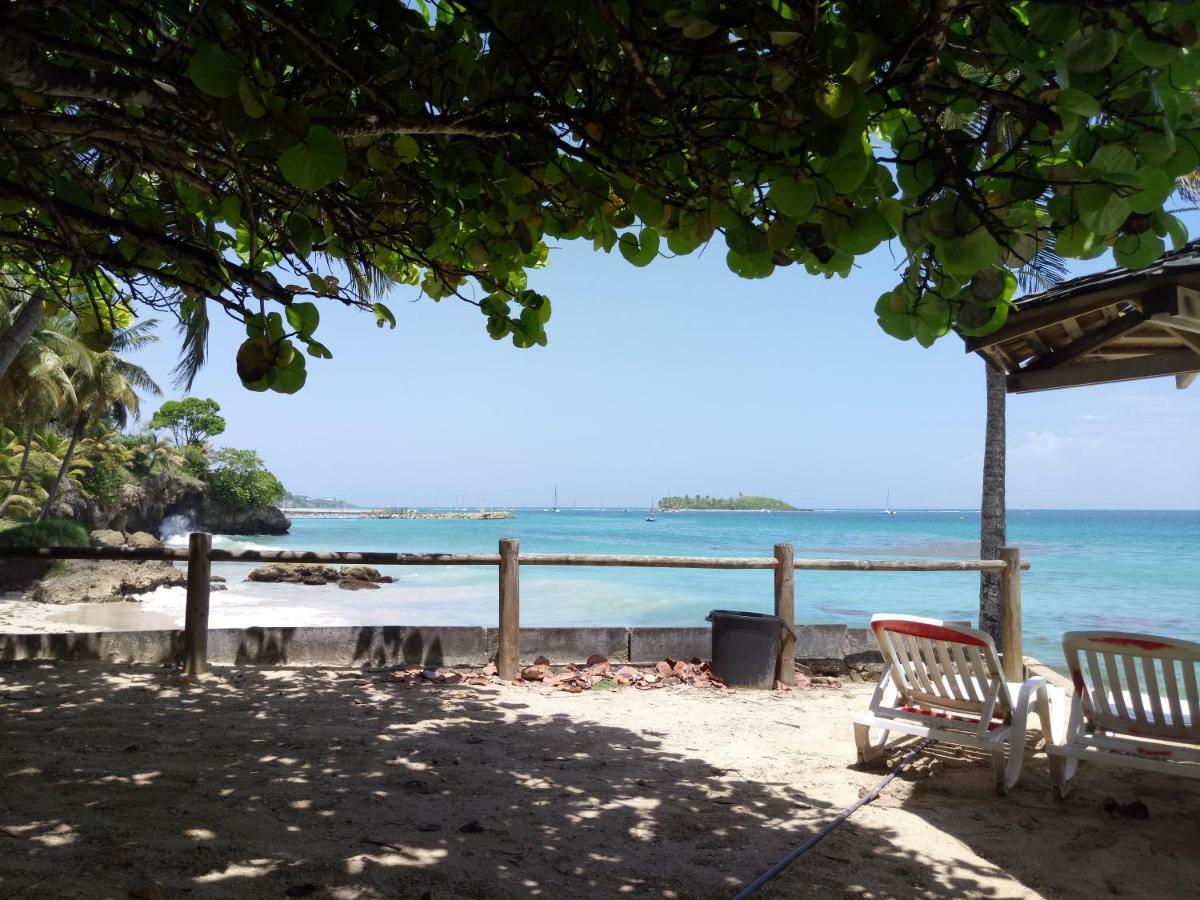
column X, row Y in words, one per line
column 1132, row 571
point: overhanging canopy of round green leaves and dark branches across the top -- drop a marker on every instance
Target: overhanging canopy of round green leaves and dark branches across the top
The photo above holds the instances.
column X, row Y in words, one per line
column 274, row 157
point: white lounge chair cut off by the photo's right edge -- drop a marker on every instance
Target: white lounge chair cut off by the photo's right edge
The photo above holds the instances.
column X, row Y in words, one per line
column 1136, row 705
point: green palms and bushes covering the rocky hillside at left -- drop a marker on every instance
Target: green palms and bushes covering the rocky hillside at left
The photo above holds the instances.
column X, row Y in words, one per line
column 64, row 407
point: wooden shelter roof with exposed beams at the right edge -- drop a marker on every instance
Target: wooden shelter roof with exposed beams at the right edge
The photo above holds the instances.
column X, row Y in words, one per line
column 1114, row 326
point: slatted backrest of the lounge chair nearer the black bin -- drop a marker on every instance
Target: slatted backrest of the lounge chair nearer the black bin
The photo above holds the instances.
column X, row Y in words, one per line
column 935, row 664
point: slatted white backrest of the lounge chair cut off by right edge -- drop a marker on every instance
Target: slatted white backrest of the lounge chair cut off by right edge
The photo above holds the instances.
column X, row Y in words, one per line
column 1137, row 685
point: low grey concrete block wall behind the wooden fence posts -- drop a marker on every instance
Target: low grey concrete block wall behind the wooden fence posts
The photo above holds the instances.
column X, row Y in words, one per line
column 831, row 646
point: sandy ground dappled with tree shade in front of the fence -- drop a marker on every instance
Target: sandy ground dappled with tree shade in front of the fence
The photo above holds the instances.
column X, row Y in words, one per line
column 332, row 784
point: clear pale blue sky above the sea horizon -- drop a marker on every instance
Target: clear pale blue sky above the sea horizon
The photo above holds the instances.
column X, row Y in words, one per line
column 685, row 379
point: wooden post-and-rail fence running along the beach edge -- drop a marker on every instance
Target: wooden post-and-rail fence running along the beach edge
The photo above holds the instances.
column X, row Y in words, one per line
column 200, row 556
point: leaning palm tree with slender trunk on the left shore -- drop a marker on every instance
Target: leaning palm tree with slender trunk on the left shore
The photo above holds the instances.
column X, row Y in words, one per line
column 109, row 389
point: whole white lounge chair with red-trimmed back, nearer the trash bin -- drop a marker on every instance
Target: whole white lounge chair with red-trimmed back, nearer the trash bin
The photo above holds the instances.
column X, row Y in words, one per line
column 945, row 682
